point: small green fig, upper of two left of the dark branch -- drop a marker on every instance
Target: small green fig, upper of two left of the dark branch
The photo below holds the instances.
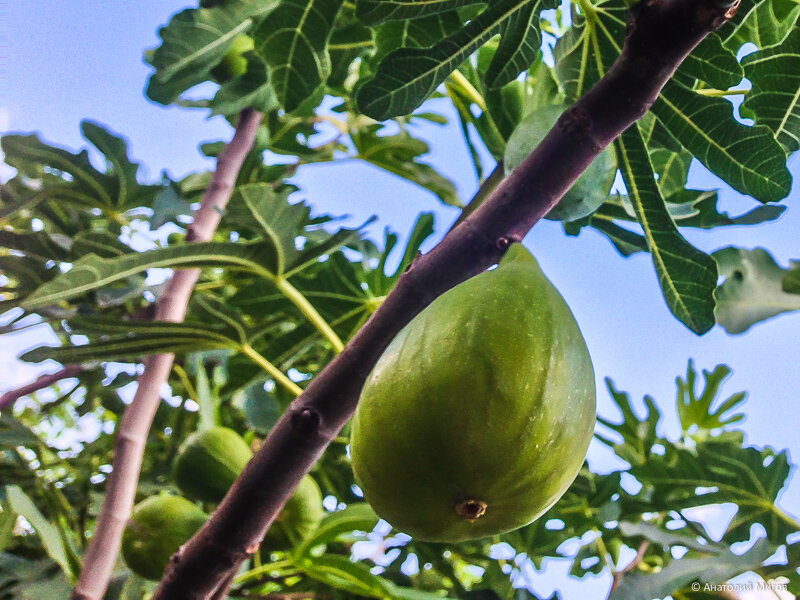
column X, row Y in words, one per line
column 209, row 461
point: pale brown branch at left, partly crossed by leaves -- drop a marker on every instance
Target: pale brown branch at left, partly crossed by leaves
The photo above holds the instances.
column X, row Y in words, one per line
column 101, row 555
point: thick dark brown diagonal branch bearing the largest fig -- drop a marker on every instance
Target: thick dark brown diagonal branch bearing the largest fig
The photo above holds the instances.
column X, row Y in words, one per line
column 661, row 34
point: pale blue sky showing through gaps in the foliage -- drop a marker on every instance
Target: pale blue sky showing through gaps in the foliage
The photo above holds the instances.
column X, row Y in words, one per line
column 68, row 61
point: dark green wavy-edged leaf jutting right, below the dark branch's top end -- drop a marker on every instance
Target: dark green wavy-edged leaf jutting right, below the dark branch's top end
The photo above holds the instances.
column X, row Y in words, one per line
column 747, row 158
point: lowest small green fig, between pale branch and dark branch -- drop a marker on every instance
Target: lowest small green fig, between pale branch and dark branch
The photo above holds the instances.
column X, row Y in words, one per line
column 158, row 526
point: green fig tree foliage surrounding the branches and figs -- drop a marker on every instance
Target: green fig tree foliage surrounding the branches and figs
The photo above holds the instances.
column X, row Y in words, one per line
column 282, row 288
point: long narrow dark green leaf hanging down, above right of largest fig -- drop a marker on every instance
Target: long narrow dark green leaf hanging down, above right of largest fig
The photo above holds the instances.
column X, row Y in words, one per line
column 687, row 276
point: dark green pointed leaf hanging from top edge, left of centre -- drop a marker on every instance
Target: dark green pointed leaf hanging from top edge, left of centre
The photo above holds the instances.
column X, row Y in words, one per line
column 292, row 40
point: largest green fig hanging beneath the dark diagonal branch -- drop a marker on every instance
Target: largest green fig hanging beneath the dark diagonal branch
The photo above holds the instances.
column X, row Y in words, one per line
column 478, row 415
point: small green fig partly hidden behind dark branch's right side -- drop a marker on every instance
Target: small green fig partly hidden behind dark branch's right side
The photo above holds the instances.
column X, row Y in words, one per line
column 299, row 517
